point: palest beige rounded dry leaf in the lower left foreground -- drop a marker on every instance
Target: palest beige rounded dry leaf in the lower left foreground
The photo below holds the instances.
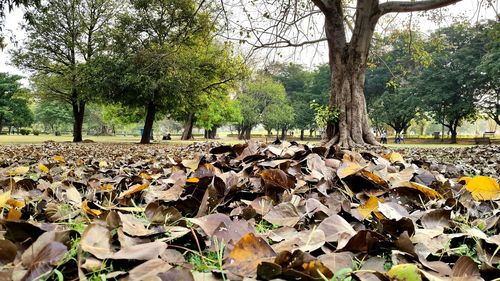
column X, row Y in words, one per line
column 96, row 239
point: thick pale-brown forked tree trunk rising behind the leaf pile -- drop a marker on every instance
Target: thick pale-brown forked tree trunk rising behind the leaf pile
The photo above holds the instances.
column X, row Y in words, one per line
column 348, row 64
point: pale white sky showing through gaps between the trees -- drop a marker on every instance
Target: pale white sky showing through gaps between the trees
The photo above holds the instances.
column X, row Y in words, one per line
column 309, row 56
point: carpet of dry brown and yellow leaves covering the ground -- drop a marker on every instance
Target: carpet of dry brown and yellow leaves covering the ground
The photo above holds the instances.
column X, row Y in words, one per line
column 253, row 211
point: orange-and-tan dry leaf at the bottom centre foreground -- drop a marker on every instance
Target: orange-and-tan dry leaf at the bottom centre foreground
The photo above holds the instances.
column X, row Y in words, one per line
column 247, row 254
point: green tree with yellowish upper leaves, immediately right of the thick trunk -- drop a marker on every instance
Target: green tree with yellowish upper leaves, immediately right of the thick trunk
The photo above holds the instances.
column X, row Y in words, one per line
column 389, row 93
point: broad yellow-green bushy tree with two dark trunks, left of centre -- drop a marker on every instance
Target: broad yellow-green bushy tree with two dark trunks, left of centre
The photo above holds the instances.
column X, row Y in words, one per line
column 164, row 56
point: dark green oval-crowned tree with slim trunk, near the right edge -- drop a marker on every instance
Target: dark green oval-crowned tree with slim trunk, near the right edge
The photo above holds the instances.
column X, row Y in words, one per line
column 449, row 87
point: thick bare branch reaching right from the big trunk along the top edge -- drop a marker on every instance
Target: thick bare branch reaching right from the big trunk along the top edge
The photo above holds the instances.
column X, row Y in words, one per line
column 413, row 6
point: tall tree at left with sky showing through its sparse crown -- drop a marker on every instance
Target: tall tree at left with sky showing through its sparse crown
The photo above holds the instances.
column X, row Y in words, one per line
column 61, row 38
